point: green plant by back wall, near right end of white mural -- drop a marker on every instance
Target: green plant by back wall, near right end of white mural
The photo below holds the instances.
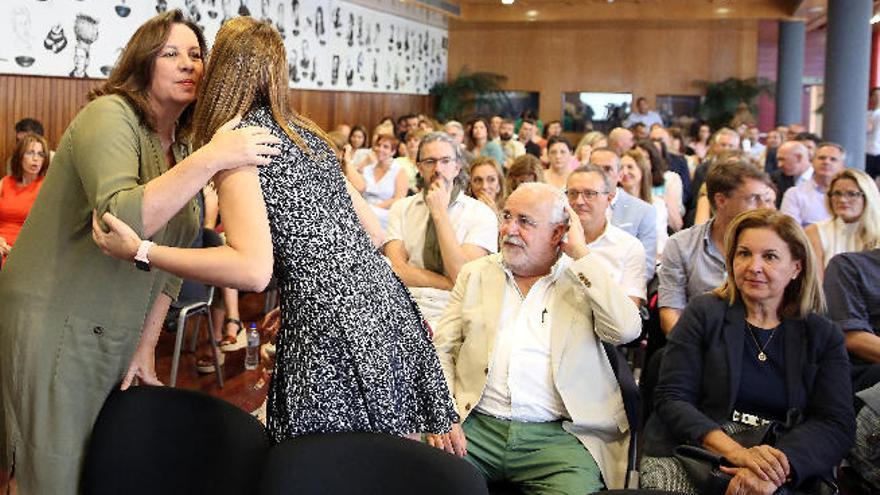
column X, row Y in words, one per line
column 455, row 99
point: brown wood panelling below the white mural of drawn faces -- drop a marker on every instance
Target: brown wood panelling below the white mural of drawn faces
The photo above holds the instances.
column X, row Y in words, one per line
column 55, row 101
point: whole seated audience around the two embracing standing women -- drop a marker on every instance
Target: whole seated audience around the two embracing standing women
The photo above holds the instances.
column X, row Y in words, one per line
column 526, row 255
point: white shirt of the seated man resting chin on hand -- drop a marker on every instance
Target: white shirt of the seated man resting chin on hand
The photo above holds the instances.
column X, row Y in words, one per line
column 473, row 223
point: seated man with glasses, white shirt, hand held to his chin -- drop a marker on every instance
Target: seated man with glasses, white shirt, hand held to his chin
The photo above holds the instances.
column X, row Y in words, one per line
column 433, row 233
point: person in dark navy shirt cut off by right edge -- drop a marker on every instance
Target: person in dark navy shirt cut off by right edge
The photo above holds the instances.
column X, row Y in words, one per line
column 852, row 287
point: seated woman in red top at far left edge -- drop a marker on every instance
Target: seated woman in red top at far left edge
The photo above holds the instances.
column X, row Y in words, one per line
column 19, row 190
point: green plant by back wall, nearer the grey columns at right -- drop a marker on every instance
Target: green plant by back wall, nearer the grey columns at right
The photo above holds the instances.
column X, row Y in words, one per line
column 722, row 98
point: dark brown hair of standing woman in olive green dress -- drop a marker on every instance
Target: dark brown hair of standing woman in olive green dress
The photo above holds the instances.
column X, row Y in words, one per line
column 134, row 70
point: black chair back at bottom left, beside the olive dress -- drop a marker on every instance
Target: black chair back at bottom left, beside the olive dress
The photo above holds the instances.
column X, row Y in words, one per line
column 150, row 440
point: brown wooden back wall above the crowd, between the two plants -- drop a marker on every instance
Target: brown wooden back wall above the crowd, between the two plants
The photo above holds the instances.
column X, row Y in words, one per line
column 646, row 58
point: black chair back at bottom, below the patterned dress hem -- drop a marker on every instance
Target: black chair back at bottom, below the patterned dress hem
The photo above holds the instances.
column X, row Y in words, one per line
column 366, row 464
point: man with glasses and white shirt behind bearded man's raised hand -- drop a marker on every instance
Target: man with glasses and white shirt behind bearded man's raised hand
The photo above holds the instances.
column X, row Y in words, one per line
column 588, row 191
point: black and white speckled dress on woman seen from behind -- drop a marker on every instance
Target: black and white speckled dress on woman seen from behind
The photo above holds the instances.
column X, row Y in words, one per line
column 353, row 352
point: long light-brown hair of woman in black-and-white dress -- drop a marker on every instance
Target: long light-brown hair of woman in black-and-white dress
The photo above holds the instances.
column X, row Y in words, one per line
column 248, row 64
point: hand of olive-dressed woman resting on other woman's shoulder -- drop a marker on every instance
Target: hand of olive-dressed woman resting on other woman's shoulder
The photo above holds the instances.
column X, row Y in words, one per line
column 232, row 148
